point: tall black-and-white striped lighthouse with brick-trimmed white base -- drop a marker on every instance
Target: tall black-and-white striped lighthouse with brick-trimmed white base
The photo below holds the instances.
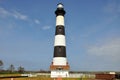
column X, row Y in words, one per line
column 59, row 66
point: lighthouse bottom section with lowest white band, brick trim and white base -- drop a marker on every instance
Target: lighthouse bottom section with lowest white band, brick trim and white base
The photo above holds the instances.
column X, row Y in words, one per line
column 59, row 67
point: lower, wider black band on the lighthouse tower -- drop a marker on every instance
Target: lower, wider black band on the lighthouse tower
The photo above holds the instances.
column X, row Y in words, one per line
column 59, row 51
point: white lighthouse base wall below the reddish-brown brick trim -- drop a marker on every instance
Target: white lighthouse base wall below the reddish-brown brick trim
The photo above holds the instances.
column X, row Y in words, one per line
column 59, row 73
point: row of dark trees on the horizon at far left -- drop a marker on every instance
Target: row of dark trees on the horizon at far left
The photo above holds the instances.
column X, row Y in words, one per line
column 11, row 68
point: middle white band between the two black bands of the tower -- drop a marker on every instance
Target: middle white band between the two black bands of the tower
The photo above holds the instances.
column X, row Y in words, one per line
column 59, row 40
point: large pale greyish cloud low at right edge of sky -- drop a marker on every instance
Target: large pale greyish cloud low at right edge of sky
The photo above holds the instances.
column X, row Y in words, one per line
column 109, row 49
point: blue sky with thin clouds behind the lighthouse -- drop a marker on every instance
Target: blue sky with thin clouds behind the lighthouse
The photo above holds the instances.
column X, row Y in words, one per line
column 27, row 31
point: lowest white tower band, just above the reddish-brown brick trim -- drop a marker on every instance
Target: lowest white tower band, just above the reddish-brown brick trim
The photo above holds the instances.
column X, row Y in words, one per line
column 59, row 61
